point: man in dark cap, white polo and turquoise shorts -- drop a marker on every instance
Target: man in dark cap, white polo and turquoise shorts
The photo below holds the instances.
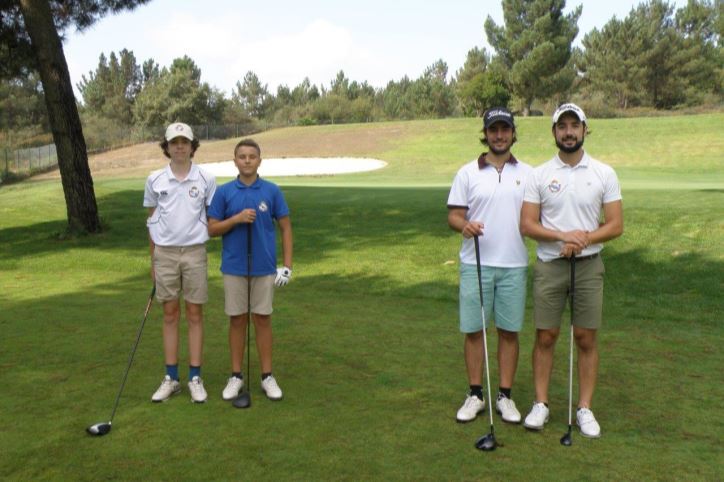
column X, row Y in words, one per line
column 485, row 201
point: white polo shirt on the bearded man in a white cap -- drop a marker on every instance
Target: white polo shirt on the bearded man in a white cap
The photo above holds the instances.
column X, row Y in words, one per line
column 571, row 198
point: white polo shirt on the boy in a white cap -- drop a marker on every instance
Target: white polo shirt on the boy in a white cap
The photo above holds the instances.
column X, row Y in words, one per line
column 180, row 215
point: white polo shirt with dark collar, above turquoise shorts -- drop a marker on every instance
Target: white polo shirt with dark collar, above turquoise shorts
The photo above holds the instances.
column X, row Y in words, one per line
column 493, row 199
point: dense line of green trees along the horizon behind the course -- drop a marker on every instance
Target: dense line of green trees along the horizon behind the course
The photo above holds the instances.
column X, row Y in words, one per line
column 656, row 57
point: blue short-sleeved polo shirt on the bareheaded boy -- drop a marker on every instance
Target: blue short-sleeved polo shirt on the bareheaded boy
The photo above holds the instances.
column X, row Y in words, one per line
column 268, row 201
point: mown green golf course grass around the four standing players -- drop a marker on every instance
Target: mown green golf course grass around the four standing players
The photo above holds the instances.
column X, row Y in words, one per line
column 366, row 342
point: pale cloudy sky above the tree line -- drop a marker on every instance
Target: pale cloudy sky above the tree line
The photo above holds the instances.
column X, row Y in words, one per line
column 283, row 41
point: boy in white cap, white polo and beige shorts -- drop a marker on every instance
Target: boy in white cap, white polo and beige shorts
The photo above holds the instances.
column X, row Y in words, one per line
column 177, row 197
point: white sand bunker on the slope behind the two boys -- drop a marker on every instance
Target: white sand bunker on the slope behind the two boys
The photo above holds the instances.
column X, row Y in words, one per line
column 300, row 166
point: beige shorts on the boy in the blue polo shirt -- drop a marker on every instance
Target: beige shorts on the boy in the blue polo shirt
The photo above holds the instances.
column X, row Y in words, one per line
column 236, row 296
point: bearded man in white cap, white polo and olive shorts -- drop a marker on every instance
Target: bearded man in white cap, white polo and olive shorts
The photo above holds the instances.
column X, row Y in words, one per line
column 563, row 203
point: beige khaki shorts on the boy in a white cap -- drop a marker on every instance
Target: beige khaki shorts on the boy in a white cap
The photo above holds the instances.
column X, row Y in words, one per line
column 181, row 268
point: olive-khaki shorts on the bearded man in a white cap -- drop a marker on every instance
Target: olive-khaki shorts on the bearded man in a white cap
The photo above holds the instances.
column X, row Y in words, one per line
column 551, row 283
